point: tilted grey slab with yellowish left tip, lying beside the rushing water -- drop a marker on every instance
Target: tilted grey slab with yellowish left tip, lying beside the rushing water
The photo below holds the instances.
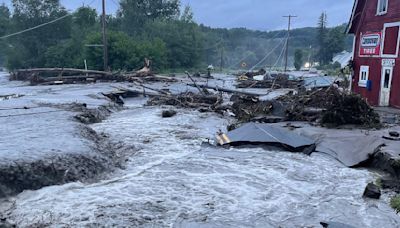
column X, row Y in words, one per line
column 255, row 133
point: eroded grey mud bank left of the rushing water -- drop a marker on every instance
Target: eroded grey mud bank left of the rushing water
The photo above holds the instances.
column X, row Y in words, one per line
column 42, row 143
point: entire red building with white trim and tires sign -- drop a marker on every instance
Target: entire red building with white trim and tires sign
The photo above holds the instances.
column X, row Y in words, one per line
column 376, row 27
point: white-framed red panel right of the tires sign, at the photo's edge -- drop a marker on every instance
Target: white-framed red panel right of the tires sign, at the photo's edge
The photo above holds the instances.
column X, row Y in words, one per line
column 391, row 41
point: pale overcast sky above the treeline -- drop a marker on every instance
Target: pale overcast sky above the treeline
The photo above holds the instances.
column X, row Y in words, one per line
column 253, row 14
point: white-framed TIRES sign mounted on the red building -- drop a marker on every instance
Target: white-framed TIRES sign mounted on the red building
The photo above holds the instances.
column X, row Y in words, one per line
column 370, row 44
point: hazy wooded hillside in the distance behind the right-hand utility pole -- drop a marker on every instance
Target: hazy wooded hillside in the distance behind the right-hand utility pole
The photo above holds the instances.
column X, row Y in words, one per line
column 249, row 46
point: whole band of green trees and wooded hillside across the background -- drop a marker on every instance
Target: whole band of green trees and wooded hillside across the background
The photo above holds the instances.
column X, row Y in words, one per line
column 160, row 30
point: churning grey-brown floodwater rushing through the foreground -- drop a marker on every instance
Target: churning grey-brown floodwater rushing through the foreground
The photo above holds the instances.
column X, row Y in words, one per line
column 174, row 180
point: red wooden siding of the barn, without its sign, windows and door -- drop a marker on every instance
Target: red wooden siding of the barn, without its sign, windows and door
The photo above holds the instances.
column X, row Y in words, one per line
column 365, row 20
